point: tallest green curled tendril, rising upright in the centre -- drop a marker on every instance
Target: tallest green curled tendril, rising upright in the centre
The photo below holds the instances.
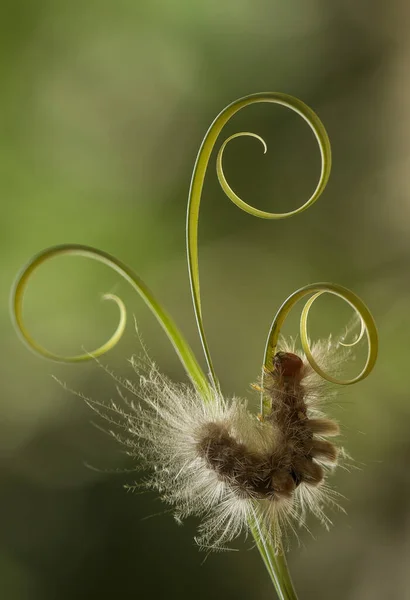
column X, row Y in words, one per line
column 198, row 178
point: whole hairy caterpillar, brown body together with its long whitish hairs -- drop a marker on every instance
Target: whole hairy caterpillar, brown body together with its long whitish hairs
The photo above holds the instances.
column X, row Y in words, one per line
column 219, row 461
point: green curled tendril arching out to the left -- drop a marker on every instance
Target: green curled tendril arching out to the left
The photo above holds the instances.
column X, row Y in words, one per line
column 181, row 347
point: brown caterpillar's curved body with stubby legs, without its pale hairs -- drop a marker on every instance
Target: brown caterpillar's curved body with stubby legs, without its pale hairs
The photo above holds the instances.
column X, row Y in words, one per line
column 296, row 450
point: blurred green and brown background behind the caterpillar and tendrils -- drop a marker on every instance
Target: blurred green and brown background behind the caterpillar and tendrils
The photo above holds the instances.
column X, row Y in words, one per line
column 103, row 106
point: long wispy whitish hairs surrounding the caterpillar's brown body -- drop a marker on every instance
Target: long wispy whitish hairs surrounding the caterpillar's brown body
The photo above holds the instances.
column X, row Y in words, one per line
column 163, row 427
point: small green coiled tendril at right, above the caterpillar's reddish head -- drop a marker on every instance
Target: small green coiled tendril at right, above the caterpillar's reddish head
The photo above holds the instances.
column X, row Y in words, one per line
column 368, row 326
